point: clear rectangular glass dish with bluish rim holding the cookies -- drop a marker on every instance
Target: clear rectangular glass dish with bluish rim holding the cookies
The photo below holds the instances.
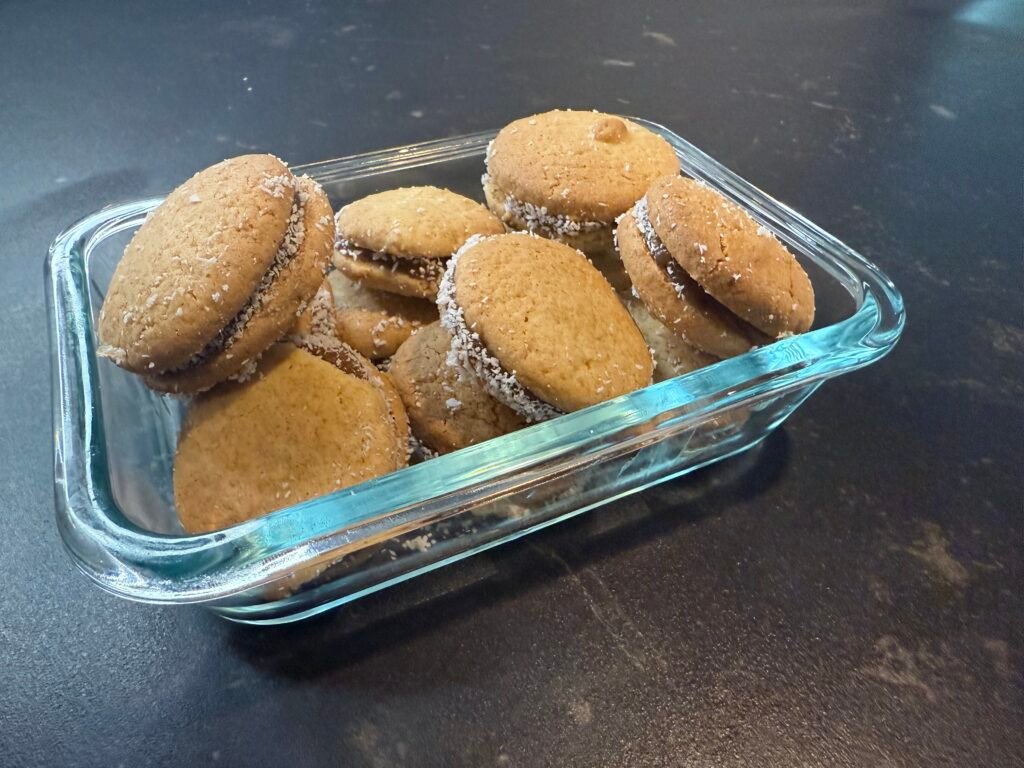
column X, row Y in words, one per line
column 115, row 440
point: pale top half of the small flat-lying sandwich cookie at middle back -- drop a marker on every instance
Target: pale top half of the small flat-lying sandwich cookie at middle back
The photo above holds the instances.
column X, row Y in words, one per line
column 424, row 223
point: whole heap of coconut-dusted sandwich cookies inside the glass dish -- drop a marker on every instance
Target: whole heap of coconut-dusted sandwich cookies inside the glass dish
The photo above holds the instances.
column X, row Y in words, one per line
column 593, row 270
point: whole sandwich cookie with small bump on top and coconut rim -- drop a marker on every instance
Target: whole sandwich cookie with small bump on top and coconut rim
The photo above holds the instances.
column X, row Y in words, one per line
column 568, row 176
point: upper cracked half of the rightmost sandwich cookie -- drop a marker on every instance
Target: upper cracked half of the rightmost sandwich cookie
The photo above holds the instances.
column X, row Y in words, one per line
column 735, row 260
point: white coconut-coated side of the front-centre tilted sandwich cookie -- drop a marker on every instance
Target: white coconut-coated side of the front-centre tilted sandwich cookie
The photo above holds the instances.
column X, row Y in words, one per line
column 468, row 354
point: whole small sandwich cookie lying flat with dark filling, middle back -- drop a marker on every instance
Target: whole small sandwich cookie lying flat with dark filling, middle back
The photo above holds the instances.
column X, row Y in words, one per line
column 400, row 240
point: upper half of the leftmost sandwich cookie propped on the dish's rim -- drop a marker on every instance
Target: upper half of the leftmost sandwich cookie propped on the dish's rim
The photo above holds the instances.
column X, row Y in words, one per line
column 196, row 262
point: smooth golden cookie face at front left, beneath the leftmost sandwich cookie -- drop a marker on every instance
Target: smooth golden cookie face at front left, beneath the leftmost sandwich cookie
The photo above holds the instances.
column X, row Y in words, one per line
column 300, row 430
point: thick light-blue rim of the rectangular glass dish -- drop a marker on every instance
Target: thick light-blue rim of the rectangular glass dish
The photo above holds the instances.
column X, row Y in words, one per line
column 146, row 567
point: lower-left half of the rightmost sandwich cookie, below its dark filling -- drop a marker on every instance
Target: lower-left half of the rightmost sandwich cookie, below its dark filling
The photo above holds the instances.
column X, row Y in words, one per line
column 674, row 298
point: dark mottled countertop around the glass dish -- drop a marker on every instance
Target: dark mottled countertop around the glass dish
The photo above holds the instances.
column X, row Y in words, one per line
column 850, row 594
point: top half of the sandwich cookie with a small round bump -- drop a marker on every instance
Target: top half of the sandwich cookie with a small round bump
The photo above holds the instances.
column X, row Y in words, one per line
column 586, row 165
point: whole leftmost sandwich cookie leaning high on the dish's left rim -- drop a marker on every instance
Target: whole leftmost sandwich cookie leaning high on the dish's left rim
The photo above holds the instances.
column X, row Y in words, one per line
column 219, row 273
